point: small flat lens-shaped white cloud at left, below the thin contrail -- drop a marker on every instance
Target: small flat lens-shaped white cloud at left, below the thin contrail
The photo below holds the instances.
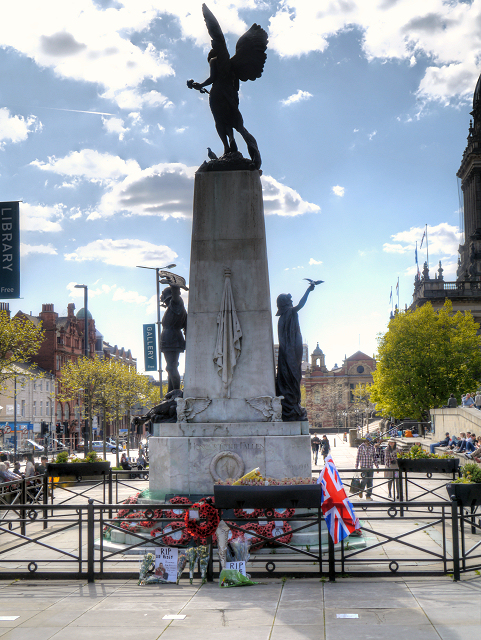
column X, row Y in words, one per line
column 90, row 165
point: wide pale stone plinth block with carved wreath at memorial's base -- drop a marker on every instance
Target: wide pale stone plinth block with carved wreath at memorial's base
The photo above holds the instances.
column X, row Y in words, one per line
column 189, row 457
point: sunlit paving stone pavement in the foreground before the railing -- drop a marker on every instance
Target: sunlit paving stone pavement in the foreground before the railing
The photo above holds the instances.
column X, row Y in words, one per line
column 304, row 609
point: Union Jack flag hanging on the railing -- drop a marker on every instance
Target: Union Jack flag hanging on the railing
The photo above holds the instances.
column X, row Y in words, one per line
column 338, row 511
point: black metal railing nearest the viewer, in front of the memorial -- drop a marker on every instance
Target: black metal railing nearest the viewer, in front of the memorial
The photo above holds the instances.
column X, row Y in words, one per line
column 70, row 542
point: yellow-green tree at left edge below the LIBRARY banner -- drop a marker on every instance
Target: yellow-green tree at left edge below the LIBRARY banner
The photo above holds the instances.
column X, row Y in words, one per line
column 20, row 340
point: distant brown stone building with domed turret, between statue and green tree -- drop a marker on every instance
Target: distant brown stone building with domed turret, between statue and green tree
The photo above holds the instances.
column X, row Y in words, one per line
column 329, row 394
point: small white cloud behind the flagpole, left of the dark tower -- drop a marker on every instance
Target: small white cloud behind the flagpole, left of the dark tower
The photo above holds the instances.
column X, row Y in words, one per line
column 443, row 240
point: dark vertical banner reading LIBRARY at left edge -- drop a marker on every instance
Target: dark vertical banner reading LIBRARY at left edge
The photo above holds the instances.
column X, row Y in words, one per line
column 9, row 250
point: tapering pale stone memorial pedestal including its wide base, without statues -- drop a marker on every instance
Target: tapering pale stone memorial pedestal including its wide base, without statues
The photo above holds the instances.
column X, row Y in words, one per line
column 229, row 417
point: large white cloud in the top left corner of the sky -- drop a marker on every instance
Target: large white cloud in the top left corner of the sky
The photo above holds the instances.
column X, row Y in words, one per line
column 81, row 40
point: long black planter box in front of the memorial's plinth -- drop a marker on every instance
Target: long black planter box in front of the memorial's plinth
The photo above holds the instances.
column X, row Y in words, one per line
column 258, row 497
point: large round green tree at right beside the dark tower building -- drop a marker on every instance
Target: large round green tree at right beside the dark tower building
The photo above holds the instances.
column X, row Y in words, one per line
column 423, row 357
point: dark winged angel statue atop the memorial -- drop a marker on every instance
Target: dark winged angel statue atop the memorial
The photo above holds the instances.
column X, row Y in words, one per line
column 225, row 73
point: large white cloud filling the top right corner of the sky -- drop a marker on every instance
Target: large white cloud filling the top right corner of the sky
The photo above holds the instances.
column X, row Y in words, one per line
column 445, row 32
